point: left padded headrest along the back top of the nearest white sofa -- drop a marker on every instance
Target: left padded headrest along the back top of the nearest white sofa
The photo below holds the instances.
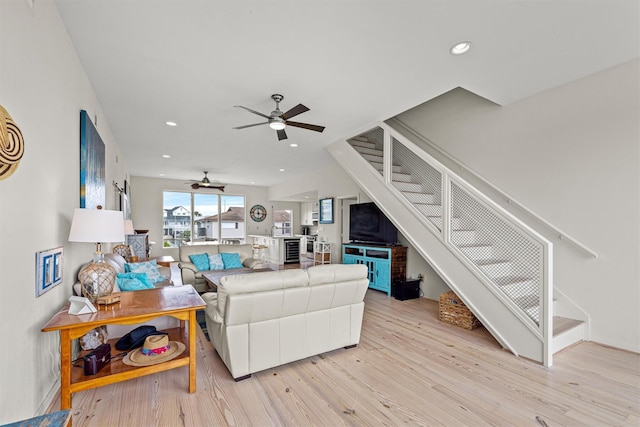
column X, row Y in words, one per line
column 263, row 281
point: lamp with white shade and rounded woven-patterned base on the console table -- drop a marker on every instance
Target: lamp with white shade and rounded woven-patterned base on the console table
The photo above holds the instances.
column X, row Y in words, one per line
column 97, row 226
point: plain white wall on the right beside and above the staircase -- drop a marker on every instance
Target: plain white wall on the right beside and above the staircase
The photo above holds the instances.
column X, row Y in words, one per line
column 572, row 155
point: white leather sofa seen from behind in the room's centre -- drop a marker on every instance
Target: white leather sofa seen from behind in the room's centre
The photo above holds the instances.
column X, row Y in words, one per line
column 261, row 320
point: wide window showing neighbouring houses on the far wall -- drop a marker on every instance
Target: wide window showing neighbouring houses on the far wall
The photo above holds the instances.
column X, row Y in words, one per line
column 193, row 218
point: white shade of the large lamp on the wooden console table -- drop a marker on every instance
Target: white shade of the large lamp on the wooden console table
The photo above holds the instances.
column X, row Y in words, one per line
column 96, row 226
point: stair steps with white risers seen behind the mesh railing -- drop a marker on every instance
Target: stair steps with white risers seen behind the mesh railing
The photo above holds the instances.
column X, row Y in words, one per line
column 497, row 265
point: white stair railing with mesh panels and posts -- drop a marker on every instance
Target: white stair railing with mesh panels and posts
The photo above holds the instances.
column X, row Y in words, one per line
column 512, row 260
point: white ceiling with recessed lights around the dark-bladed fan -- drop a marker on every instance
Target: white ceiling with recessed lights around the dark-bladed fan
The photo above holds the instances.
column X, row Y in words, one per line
column 351, row 62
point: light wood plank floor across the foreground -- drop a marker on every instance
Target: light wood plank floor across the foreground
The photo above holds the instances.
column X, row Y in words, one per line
column 409, row 369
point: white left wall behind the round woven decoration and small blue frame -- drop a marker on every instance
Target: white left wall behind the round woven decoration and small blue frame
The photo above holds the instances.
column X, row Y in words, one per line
column 43, row 86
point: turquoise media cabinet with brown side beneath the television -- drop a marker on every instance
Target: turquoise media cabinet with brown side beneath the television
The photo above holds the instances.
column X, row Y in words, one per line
column 385, row 264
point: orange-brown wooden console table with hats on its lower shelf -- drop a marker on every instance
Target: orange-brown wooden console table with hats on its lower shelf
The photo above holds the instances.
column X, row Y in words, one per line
column 180, row 302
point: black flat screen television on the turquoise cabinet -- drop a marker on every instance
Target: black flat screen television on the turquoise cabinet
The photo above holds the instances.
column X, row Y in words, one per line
column 367, row 224
